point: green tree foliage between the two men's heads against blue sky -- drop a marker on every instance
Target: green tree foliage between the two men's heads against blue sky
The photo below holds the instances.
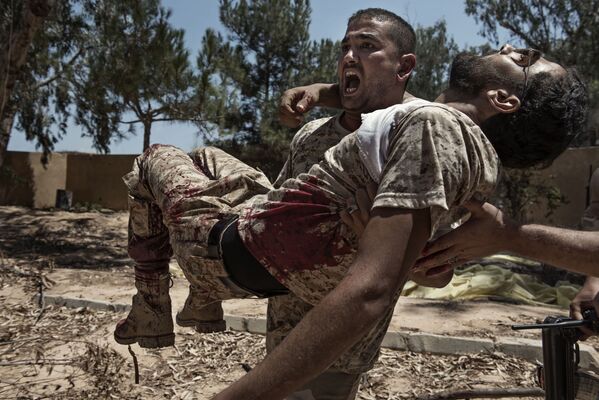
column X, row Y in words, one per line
column 435, row 52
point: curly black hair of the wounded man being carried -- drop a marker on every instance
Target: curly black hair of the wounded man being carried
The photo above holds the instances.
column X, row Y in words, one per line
column 552, row 112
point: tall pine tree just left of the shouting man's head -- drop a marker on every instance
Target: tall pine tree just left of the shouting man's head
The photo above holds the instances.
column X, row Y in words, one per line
column 267, row 50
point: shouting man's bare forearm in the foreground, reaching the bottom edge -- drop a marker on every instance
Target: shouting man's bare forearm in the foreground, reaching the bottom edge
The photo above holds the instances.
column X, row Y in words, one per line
column 315, row 343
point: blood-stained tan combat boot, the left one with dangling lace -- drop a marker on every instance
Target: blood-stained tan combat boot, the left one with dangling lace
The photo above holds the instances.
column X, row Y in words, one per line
column 149, row 322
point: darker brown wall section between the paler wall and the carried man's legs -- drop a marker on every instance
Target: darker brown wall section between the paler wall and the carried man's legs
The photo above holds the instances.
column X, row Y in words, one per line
column 96, row 179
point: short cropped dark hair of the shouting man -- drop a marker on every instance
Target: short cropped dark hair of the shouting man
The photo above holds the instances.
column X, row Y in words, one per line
column 401, row 32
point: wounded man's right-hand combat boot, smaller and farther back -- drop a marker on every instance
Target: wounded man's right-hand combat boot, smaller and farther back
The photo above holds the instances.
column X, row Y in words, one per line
column 205, row 318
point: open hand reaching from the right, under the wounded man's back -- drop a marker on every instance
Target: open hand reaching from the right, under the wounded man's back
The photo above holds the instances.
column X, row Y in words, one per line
column 485, row 233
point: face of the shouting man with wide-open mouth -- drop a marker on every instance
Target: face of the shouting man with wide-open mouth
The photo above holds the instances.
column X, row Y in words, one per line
column 367, row 67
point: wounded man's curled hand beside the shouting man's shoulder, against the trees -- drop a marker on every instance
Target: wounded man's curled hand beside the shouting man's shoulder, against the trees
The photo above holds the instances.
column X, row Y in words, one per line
column 296, row 102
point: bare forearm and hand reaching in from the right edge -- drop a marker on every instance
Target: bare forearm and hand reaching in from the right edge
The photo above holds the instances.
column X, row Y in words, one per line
column 488, row 231
